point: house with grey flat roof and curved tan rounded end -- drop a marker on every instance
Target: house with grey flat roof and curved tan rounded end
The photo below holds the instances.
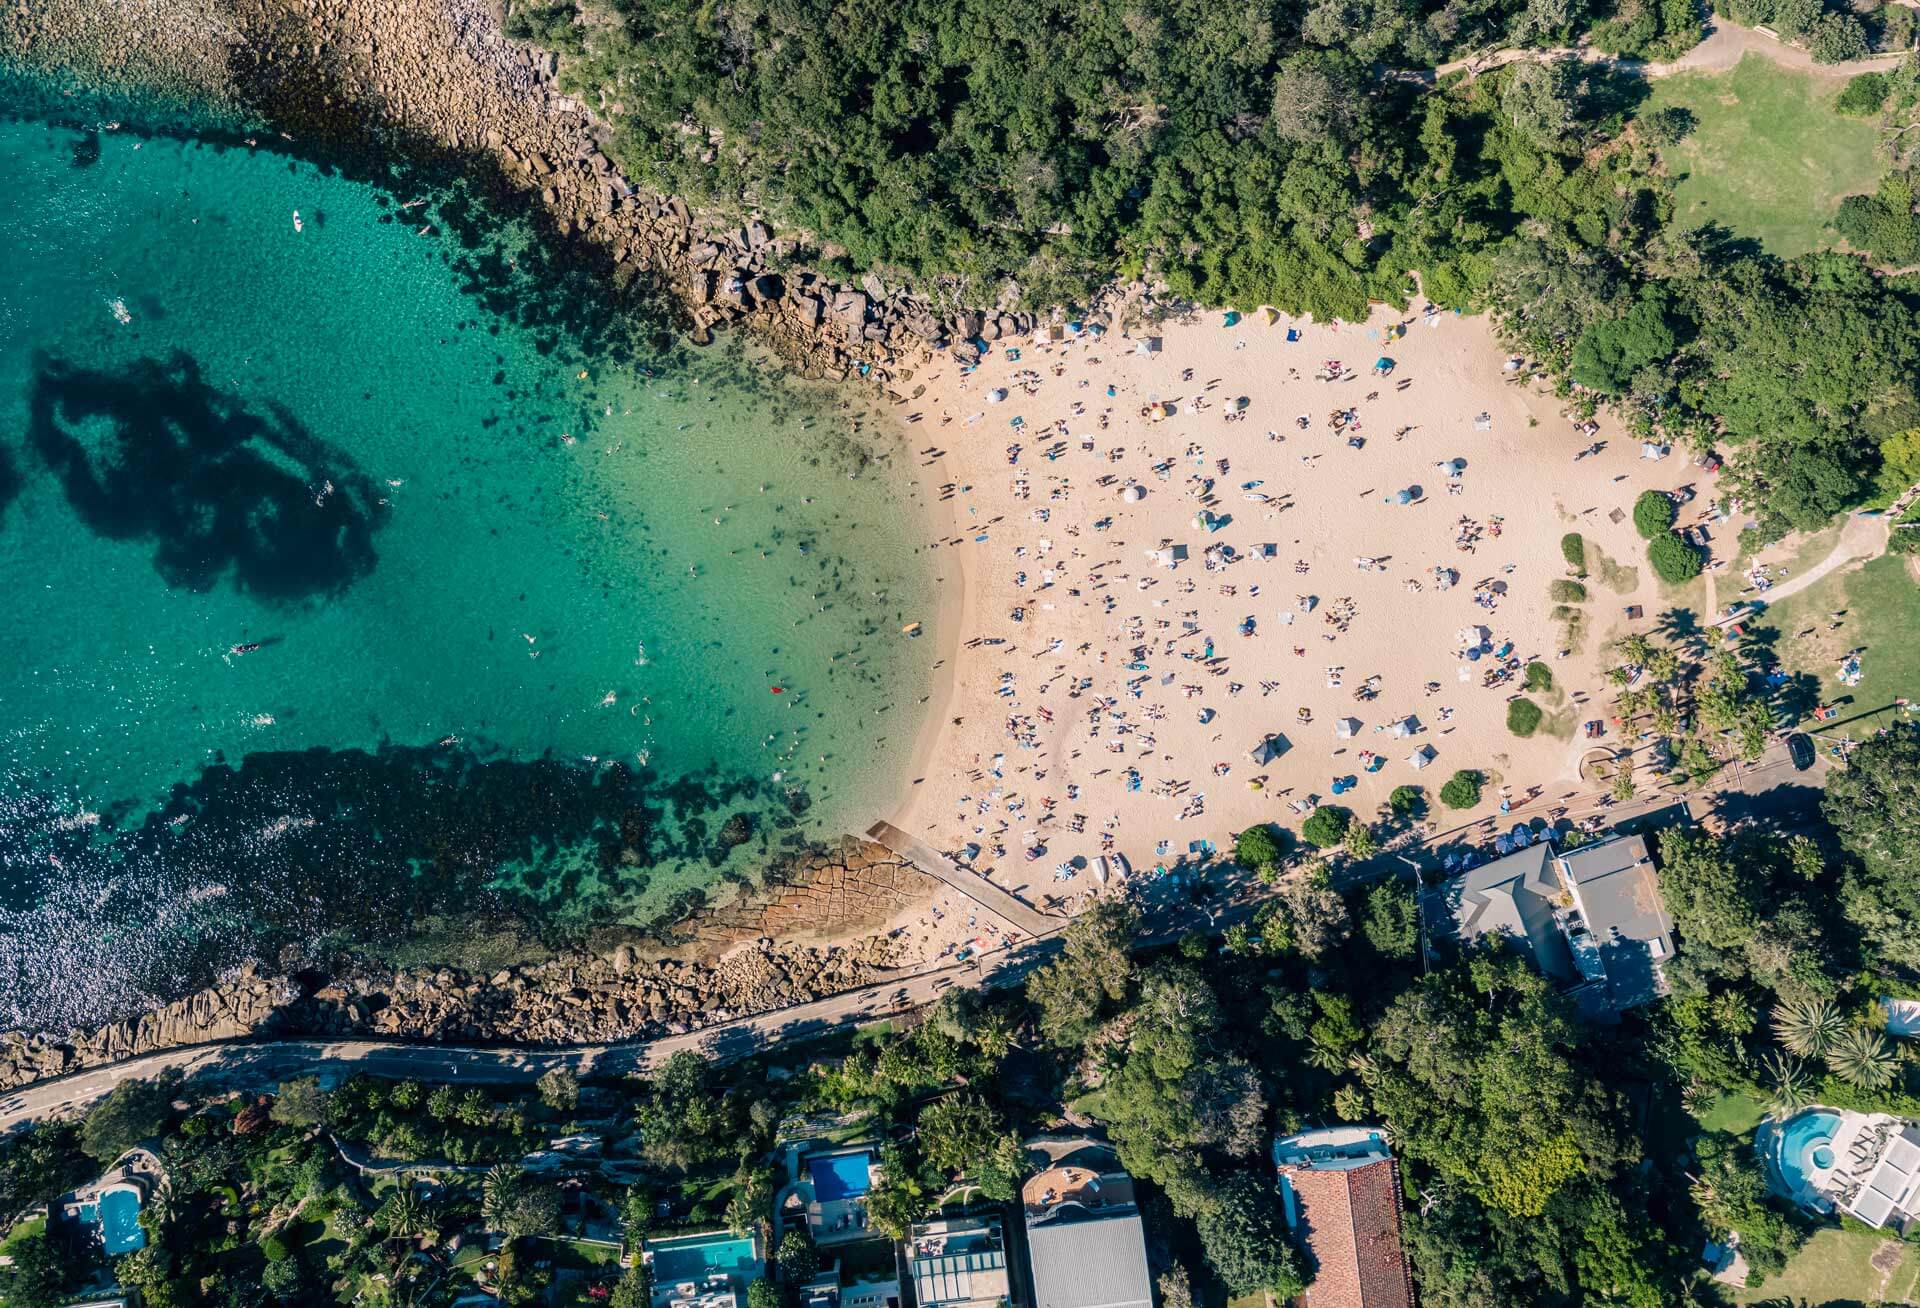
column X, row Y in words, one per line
column 1086, row 1244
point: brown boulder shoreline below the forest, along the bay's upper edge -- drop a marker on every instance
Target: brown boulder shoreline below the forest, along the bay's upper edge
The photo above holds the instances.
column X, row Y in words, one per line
column 441, row 78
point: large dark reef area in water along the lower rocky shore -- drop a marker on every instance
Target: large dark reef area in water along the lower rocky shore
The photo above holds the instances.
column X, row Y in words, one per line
column 324, row 854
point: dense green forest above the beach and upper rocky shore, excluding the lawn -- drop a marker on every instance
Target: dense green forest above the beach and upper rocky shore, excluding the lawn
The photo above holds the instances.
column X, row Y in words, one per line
column 1293, row 155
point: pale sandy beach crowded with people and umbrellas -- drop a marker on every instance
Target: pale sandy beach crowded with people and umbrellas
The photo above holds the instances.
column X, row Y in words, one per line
column 1274, row 593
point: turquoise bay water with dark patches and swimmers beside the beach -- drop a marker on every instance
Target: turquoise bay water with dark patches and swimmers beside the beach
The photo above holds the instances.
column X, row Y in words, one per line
column 368, row 585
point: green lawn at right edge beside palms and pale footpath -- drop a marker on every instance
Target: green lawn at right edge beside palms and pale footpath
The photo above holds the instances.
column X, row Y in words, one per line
column 1883, row 602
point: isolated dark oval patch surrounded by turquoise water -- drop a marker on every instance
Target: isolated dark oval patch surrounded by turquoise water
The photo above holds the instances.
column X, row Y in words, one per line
column 153, row 452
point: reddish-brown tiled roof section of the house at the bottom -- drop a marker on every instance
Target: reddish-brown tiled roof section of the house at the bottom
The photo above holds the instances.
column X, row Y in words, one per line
column 1351, row 1223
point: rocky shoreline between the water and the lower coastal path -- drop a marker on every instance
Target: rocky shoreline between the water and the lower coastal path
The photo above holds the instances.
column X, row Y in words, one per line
column 746, row 959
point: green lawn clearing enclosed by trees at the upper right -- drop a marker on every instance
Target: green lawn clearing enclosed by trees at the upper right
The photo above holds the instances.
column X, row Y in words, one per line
column 1771, row 158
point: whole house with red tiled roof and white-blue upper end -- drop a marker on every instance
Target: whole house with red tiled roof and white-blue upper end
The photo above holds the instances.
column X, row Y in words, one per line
column 1341, row 1196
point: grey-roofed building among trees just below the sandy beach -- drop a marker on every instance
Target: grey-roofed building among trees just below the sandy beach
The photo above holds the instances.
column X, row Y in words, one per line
column 1591, row 917
